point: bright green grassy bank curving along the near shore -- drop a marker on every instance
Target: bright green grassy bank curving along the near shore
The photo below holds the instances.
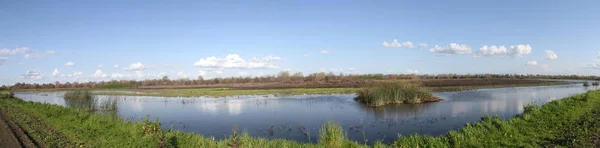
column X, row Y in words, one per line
column 572, row 122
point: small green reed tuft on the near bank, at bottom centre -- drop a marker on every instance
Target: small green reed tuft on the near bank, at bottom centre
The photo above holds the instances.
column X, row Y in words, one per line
column 332, row 135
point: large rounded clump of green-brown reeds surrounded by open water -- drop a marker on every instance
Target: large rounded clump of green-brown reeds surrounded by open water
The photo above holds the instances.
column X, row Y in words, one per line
column 404, row 92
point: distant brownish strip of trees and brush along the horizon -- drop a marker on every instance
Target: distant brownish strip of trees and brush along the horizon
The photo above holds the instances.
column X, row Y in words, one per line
column 283, row 78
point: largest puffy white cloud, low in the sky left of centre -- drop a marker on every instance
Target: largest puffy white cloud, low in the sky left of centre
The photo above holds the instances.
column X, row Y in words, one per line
column 235, row 61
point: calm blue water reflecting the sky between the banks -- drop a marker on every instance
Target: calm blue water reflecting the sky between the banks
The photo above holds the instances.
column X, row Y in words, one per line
column 285, row 116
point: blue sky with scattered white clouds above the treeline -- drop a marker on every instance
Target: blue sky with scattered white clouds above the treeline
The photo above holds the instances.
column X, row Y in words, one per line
column 67, row 41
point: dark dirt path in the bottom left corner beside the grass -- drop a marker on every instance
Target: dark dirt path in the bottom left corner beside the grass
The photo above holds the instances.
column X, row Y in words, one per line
column 13, row 136
